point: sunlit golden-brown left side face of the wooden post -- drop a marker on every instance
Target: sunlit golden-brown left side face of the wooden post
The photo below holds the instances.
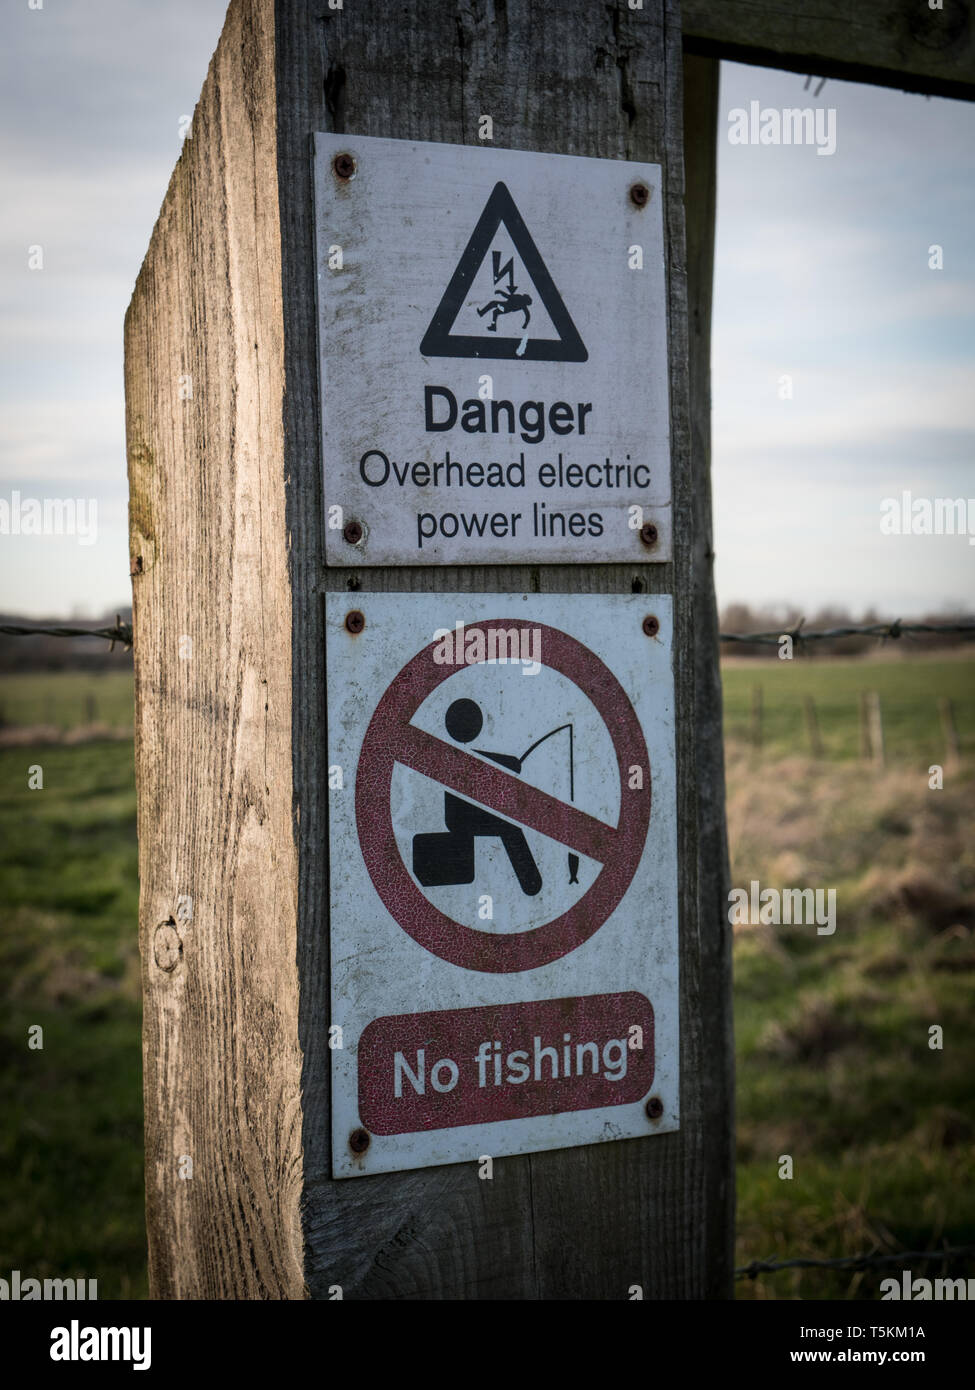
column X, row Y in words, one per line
column 213, row 728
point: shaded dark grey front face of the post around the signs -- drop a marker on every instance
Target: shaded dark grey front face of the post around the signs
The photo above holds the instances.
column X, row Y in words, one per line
column 572, row 79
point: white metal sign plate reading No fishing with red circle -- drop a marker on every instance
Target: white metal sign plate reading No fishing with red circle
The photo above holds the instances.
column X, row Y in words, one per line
column 504, row 885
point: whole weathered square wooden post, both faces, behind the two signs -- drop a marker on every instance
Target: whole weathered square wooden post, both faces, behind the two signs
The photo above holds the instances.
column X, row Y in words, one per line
column 232, row 596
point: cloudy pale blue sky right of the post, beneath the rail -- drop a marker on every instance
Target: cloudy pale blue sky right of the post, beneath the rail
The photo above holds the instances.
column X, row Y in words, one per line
column 823, row 275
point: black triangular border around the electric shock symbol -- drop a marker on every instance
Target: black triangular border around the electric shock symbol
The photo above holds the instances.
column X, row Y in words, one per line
column 439, row 343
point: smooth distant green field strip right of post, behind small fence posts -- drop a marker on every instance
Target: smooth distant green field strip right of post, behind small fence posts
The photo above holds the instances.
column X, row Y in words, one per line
column 909, row 694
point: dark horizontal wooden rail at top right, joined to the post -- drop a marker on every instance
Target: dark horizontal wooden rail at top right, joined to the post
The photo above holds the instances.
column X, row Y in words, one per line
column 899, row 44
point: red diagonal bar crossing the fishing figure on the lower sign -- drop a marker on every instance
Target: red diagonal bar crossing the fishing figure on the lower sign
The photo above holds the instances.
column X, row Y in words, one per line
column 504, row 794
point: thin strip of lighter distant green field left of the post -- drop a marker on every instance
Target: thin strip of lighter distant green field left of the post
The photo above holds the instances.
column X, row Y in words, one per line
column 67, row 698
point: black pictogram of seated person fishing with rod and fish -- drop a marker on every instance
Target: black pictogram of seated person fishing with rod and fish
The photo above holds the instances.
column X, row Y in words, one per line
column 449, row 858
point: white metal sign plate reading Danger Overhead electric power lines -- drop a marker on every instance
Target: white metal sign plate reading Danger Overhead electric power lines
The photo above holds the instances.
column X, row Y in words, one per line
column 493, row 343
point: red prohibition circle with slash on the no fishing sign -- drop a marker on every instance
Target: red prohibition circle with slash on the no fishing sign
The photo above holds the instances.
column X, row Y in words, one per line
column 392, row 739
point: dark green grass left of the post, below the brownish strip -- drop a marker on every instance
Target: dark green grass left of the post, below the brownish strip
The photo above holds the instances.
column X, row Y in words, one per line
column 72, row 1140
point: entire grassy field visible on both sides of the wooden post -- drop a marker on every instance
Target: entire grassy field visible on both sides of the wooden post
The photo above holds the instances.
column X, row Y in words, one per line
column 834, row 1065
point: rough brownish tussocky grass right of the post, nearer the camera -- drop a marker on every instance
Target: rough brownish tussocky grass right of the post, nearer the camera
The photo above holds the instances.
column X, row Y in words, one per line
column 834, row 1064
